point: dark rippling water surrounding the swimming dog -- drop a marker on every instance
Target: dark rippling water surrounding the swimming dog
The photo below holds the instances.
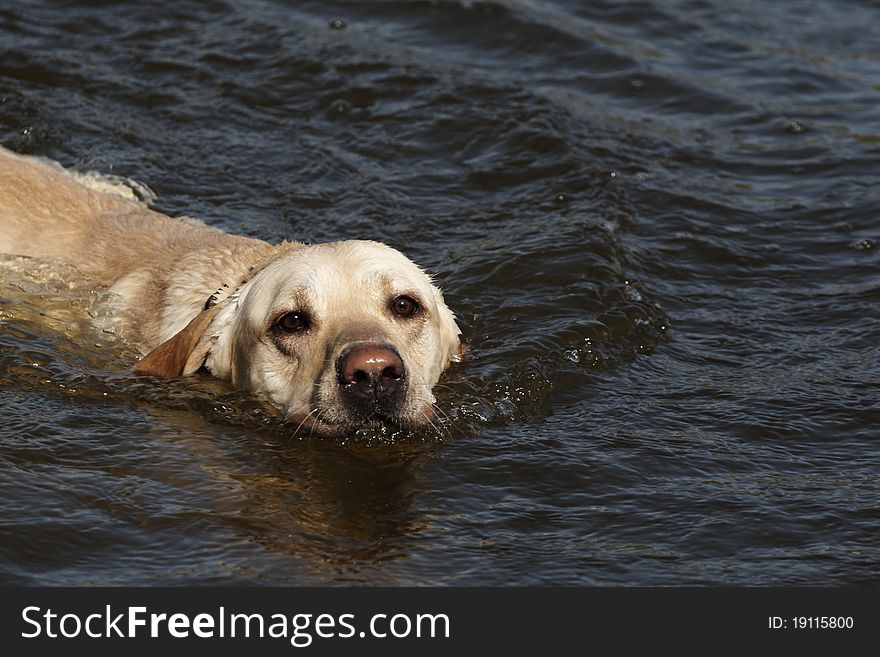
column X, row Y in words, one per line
column 658, row 222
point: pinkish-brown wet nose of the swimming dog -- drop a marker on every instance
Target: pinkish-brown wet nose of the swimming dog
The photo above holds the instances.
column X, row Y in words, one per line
column 371, row 371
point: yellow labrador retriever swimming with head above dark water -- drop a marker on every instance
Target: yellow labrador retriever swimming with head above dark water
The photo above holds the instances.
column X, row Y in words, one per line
column 337, row 335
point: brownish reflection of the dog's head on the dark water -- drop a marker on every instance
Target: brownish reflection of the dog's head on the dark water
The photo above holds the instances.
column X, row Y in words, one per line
column 314, row 499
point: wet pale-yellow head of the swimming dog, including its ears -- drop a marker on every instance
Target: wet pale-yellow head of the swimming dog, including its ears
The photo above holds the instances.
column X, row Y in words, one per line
column 337, row 336
